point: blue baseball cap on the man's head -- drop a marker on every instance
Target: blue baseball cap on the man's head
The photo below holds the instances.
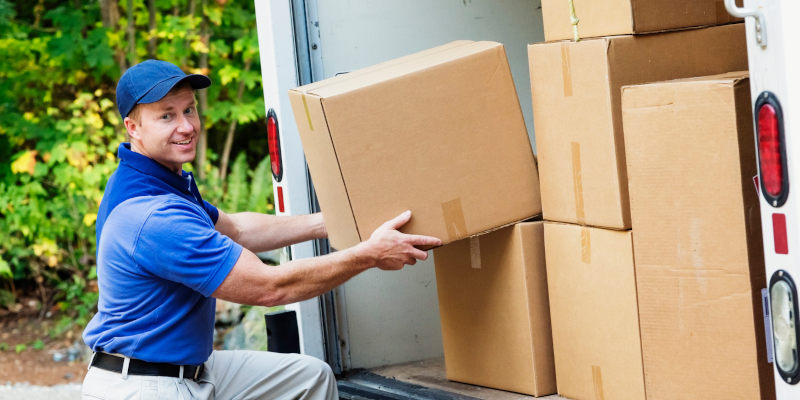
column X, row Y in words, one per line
column 151, row 80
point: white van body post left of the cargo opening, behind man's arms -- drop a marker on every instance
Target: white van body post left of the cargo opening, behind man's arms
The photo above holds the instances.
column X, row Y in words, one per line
column 279, row 73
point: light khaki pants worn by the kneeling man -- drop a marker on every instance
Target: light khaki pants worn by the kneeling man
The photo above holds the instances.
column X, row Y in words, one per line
column 228, row 375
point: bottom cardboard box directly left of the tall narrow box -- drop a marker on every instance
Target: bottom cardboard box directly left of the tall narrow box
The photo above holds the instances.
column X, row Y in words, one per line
column 594, row 315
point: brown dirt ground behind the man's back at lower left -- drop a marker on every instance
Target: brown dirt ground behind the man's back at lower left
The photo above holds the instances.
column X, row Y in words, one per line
column 36, row 366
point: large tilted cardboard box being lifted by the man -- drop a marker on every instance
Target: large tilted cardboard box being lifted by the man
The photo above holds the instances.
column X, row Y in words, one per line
column 439, row 133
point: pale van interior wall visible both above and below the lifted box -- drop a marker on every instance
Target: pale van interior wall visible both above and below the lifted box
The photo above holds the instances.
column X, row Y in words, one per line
column 394, row 317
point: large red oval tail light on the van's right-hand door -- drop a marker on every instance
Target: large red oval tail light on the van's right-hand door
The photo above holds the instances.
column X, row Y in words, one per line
column 771, row 152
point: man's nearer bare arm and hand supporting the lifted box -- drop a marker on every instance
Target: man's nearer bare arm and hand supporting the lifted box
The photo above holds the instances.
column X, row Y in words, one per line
column 251, row 282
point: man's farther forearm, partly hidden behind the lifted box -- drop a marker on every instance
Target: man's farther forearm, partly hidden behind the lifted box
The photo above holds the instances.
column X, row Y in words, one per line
column 261, row 232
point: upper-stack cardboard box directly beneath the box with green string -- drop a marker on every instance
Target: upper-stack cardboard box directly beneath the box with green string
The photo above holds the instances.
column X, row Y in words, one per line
column 578, row 116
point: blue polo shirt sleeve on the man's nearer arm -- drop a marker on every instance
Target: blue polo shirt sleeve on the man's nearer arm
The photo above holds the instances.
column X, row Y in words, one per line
column 178, row 243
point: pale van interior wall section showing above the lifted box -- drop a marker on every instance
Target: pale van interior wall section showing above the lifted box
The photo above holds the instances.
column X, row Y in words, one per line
column 354, row 34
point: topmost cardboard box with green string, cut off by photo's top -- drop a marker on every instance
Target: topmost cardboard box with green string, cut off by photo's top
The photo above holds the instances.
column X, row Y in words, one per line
column 623, row 17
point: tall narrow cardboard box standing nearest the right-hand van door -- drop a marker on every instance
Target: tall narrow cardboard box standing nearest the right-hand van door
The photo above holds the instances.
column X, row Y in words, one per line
column 697, row 238
